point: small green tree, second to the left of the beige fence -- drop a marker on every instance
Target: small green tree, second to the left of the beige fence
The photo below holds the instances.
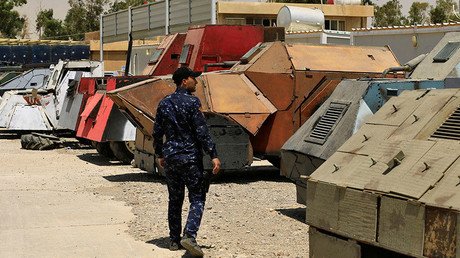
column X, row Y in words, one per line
column 48, row 27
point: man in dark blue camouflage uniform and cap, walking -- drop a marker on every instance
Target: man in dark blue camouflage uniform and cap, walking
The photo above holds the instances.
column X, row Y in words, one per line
column 181, row 154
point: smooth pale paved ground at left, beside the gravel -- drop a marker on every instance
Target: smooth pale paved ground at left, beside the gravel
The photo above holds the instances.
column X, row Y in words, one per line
column 46, row 210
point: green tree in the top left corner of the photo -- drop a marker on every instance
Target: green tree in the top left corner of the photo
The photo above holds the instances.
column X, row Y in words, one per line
column 12, row 22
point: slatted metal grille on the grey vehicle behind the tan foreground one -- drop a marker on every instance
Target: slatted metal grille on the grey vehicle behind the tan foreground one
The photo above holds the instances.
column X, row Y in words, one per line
column 327, row 122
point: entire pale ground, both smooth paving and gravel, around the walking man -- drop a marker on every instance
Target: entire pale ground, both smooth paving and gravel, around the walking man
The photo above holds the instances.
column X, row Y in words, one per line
column 72, row 202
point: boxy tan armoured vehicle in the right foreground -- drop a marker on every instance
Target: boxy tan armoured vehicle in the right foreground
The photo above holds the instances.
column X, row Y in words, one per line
column 392, row 190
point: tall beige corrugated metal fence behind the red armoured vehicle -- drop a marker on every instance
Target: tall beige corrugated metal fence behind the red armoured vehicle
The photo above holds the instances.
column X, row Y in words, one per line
column 156, row 19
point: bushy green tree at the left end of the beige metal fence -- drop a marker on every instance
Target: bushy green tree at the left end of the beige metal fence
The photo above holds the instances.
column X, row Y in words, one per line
column 83, row 16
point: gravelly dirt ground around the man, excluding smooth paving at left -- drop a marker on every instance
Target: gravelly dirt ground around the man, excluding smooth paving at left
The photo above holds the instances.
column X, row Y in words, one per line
column 249, row 213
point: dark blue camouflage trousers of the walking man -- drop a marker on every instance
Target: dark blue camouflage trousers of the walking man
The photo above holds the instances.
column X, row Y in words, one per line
column 181, row 174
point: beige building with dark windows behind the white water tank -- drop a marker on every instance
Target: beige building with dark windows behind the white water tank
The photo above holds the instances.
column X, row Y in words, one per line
column 337, row 17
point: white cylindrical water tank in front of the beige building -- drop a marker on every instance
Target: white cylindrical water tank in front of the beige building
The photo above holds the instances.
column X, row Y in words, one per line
column 295, row 19
